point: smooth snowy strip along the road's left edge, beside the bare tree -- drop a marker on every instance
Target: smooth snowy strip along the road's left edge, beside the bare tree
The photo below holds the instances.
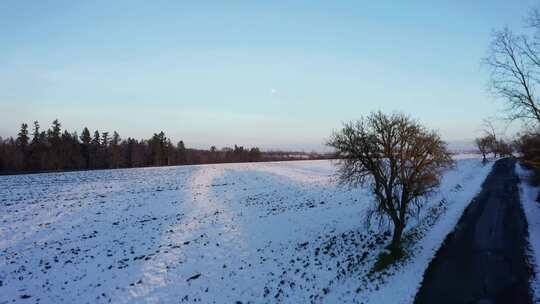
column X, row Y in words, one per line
column 401, row 282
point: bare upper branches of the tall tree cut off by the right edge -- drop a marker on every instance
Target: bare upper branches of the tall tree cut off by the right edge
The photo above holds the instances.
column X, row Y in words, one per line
column 514, row 64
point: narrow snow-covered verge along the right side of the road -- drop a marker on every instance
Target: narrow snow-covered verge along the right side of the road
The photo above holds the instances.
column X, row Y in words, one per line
column 531, row 209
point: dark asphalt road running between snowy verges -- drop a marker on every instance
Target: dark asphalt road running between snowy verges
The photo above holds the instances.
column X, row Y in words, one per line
column 483, row 260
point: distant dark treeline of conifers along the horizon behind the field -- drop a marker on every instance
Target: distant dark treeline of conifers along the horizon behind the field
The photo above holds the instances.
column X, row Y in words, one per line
column 56, row 150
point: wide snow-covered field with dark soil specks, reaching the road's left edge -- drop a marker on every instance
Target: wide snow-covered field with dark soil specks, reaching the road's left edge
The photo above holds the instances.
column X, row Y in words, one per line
column 249, row 233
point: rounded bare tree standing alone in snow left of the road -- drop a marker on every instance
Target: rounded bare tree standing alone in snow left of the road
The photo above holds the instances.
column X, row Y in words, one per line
column 401, row 161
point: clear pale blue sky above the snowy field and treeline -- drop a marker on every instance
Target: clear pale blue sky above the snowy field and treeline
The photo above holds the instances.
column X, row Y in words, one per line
column 266, row 73
